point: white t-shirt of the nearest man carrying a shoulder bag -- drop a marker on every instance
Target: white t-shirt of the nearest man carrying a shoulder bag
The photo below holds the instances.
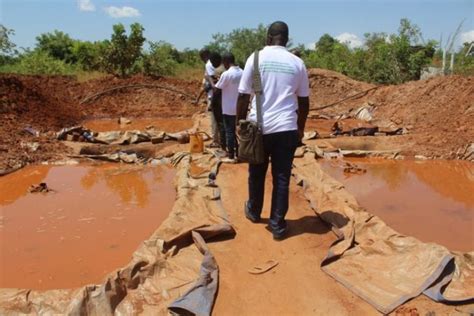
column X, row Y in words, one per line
column 284, row 79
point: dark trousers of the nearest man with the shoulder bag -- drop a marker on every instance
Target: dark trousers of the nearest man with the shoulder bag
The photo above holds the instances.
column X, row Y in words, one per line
column 280, row 148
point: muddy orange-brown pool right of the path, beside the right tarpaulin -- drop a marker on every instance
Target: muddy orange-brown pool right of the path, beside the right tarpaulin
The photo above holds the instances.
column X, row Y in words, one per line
column 430, row 200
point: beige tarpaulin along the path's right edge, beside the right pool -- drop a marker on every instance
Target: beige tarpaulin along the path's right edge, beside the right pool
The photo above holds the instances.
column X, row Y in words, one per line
column 380, row 265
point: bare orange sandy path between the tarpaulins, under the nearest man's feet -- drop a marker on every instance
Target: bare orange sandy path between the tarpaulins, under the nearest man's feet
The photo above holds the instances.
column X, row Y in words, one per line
column 297, row 285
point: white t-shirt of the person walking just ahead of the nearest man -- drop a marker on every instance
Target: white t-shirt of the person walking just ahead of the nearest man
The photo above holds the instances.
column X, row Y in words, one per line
column 229, row 84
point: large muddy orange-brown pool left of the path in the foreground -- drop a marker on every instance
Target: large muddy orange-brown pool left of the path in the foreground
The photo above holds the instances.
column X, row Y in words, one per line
column 93, row 222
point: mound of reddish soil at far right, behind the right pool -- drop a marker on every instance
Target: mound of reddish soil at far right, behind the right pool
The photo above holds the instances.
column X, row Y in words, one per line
column 439, row 112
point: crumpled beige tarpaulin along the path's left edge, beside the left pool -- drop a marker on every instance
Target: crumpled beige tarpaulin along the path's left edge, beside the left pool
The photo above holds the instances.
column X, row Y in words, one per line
column 165, row 271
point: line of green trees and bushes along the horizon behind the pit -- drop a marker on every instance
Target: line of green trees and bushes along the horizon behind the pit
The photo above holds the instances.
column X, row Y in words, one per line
column 384, row 58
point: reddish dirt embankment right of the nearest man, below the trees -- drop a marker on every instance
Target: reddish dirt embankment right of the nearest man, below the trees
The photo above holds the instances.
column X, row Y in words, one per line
column 438, row 113
